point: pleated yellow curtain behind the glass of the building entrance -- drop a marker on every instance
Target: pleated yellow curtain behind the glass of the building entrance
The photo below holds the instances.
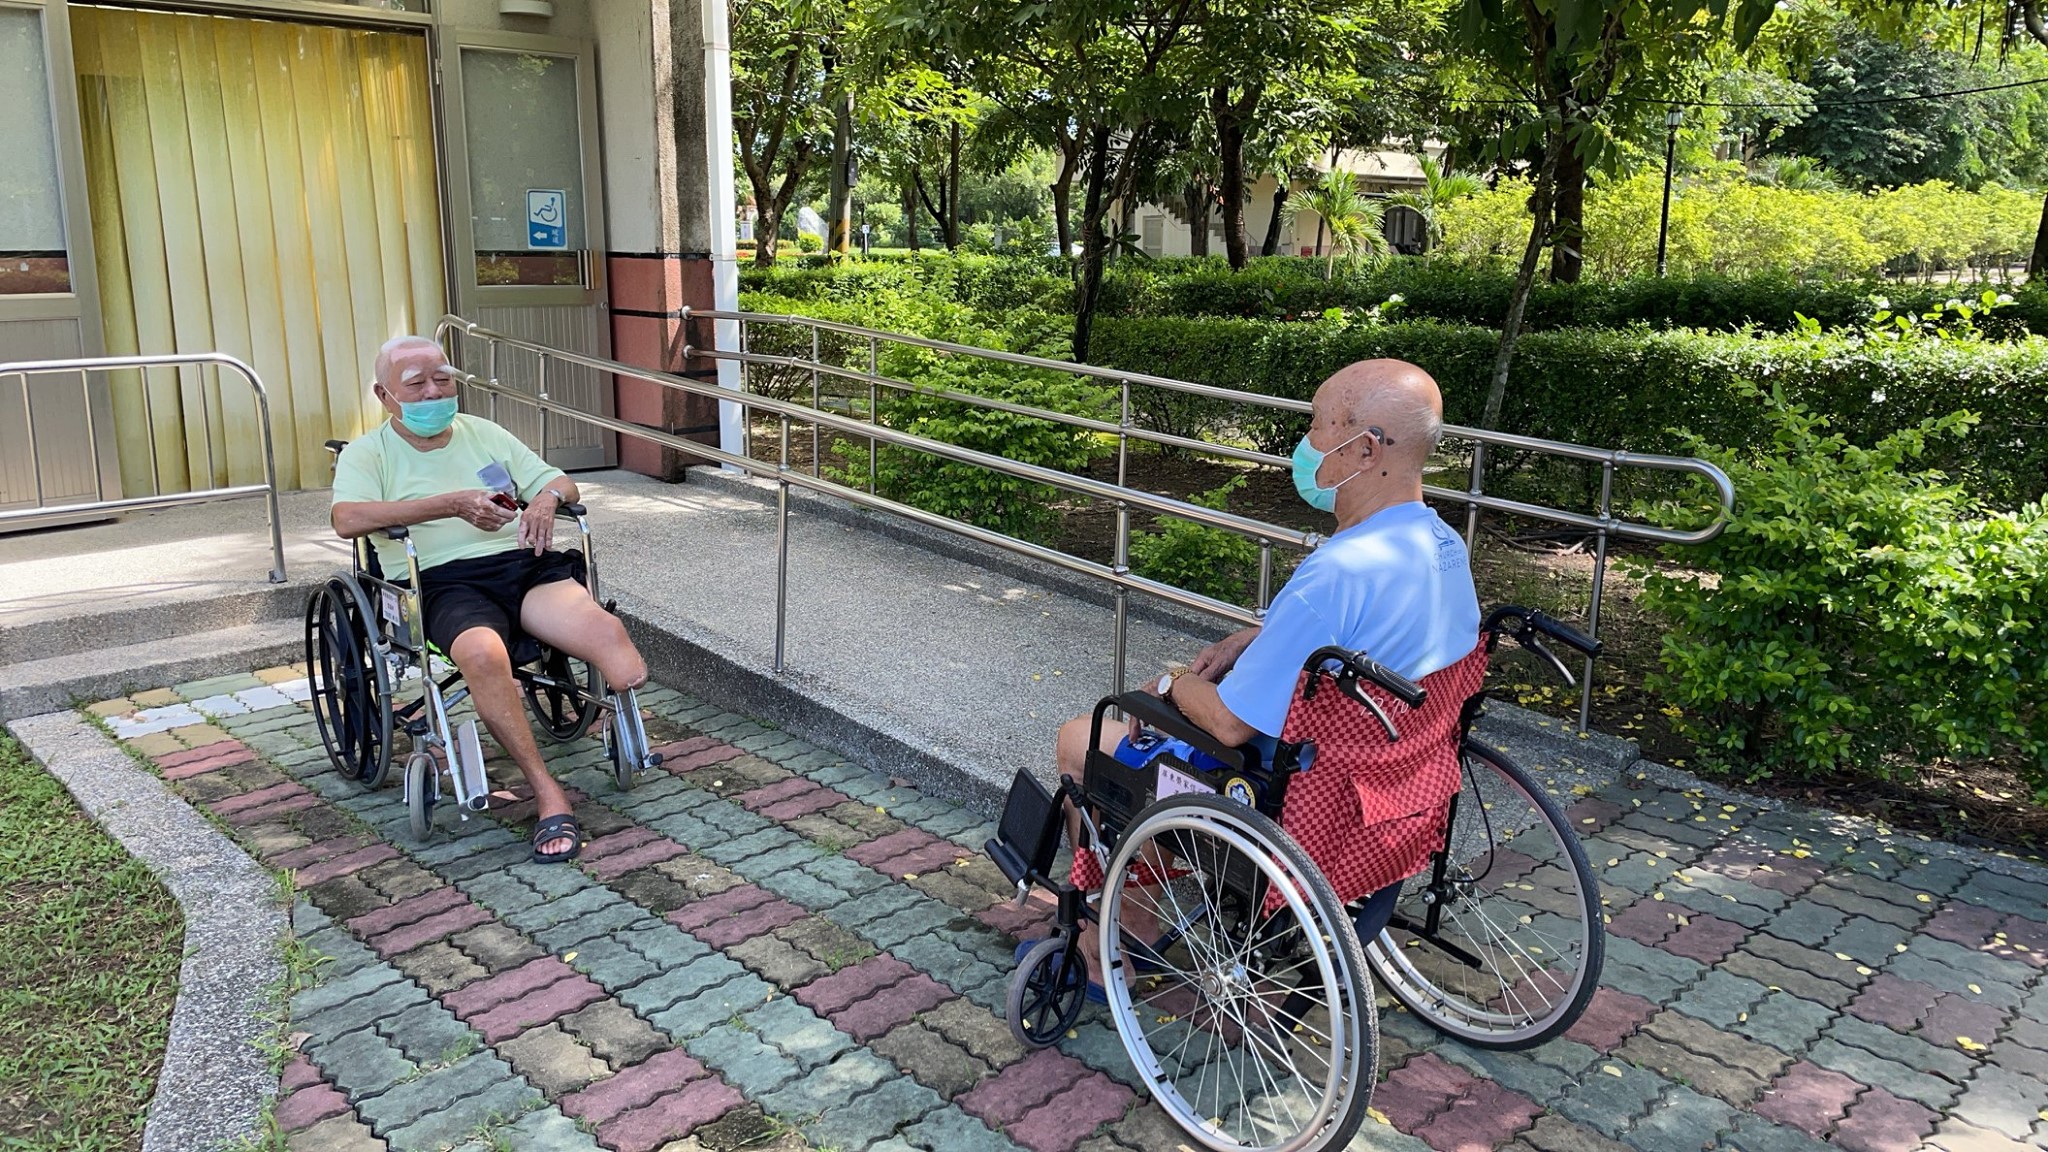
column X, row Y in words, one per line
column 261, row 190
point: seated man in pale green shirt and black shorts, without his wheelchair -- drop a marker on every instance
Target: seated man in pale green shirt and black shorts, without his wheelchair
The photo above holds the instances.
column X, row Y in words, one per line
column 484, row 567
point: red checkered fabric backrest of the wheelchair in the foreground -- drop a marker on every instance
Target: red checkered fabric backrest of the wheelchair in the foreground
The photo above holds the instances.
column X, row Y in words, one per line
column 1367, row 811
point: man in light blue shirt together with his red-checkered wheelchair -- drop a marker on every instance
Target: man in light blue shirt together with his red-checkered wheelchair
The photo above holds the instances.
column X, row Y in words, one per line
column 1279, row 805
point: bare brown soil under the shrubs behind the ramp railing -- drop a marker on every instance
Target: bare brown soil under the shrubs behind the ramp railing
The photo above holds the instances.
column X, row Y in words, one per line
column 1531, row 565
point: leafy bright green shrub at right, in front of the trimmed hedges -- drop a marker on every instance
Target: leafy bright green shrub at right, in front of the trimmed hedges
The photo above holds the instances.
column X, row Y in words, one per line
column 1861, row 612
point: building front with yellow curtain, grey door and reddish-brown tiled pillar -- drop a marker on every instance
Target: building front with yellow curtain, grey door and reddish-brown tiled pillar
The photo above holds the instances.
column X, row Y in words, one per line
column 294, row 183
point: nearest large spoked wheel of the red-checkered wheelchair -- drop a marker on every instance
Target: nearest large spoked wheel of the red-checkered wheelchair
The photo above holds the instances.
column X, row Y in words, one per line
column 1252, row 1028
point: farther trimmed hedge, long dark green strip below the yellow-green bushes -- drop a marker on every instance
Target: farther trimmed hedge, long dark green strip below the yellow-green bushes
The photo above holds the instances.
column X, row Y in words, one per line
column 1445, row 290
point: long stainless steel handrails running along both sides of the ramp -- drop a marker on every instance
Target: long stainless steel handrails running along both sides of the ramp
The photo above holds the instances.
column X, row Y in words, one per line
column 1119, row 575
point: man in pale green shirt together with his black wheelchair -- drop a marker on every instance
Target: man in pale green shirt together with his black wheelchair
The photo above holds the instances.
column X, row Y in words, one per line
column 452, row 520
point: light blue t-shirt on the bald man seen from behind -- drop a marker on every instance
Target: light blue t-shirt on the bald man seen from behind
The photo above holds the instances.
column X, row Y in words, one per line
column 1398, row 585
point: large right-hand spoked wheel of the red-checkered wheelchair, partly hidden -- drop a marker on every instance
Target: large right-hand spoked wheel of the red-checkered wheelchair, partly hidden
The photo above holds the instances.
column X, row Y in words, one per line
column 1517, row 942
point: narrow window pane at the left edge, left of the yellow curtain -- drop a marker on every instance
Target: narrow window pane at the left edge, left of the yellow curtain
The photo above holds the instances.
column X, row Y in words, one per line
column 32, row 204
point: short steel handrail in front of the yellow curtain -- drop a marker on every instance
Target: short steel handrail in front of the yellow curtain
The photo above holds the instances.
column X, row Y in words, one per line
column 85, row 366
